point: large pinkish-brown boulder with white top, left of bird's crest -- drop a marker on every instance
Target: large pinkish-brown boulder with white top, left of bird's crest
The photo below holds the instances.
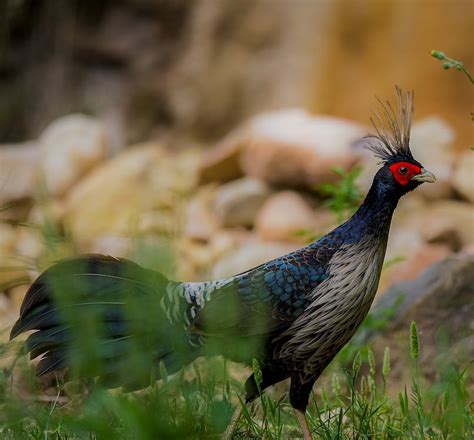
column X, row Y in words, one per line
column 288, row 147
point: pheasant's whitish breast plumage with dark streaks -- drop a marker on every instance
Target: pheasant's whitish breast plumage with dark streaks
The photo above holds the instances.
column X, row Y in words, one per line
column 338, row 307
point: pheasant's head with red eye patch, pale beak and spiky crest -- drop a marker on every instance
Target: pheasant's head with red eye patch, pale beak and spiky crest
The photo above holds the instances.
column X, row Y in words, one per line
column 400, row 172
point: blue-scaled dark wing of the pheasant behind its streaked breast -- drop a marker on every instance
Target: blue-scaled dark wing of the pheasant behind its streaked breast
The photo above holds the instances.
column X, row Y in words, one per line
column 264, row 300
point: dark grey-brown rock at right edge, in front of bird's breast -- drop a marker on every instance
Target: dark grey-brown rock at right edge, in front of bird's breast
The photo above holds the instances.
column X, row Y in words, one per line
column 440, row 301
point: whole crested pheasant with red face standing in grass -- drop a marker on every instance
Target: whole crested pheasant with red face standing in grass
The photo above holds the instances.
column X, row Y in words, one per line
column 292, row 314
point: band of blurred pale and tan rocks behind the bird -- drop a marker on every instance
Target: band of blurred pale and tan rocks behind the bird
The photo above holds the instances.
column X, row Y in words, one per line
column 207, row 213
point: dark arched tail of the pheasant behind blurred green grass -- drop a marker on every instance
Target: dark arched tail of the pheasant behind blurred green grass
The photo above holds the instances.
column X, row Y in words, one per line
column 102, row 317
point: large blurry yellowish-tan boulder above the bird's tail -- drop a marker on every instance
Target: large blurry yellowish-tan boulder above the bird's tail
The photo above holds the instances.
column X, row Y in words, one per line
column 117, row 197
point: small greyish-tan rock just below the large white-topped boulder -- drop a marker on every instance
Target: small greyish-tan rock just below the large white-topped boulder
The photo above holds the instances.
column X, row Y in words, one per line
column 236, row 203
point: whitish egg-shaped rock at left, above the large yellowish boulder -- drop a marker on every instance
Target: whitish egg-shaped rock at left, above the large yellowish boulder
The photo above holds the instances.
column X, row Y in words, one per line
column 70, row 147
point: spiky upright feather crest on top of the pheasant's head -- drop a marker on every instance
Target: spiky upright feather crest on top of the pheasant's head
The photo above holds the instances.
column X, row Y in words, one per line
column 392, row 136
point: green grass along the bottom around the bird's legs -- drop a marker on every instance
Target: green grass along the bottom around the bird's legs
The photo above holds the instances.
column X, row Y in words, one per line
column 348, row 403
